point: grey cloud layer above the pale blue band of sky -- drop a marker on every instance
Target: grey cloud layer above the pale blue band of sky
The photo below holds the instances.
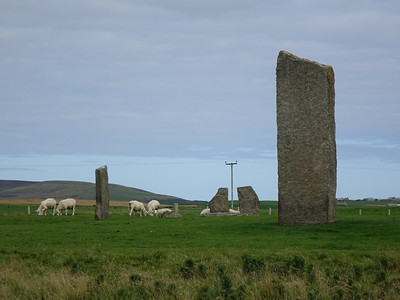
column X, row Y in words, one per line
column 155, row 78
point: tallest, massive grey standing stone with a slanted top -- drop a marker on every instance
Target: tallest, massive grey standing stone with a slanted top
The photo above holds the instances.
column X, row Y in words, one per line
column 306, row 141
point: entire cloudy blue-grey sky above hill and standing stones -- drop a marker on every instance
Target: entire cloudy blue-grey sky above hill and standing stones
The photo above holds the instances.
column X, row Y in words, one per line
column 164, row 92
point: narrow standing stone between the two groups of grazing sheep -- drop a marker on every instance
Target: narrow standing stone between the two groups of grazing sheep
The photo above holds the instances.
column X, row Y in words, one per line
column 102, row 195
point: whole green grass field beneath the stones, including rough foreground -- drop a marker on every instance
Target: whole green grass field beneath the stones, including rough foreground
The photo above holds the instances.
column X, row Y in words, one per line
column 77, row 257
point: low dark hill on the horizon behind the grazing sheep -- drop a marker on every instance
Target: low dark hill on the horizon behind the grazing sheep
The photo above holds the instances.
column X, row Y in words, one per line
column 14, row 189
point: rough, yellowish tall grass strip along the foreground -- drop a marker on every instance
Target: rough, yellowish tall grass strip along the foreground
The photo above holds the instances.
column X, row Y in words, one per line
column 175, row 276
